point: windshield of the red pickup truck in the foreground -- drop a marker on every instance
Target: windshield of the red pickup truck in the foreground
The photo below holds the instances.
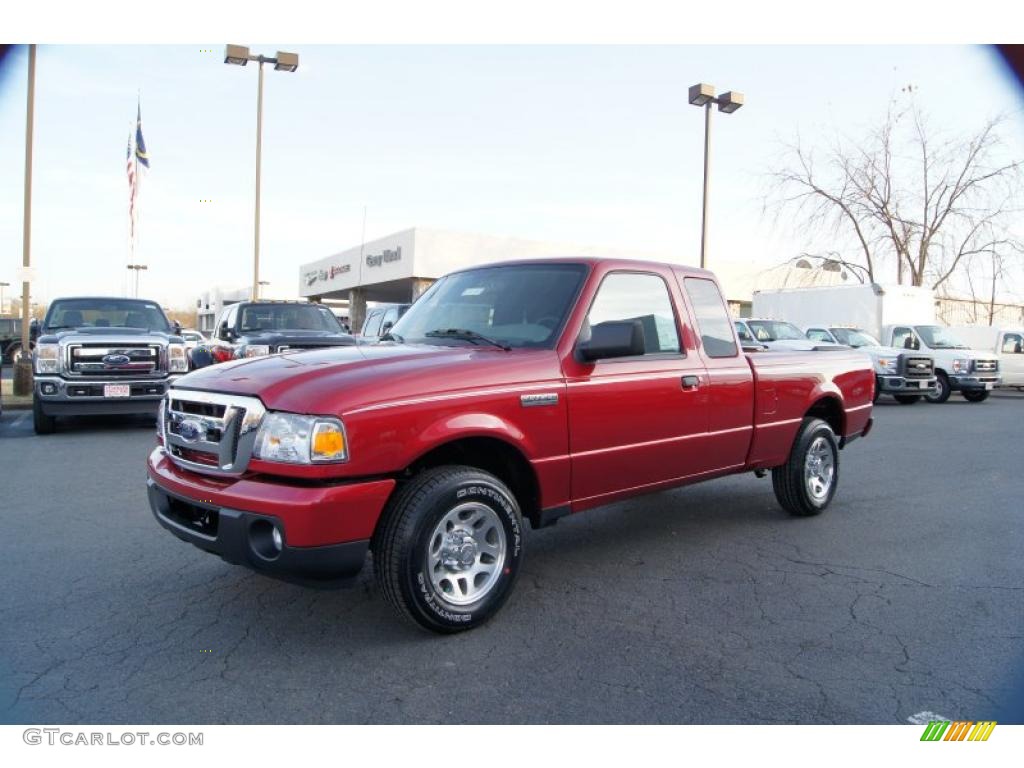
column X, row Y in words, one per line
column 522, row 306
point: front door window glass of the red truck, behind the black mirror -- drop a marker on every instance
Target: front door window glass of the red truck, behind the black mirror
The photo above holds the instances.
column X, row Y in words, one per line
column 626, row 296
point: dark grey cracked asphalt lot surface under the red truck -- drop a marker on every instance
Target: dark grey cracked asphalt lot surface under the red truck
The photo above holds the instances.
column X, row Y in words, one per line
column 706, row 605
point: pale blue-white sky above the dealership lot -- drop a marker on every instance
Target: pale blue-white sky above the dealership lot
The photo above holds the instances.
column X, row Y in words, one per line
column 589, row 145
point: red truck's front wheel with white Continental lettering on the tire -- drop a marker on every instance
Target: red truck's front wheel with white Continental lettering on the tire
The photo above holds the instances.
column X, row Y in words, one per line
column 404, row 540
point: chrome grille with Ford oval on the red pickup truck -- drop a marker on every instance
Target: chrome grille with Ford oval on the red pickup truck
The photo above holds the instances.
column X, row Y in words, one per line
column 210, row 433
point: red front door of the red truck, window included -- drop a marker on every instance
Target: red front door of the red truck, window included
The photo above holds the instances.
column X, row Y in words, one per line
column 636, row 421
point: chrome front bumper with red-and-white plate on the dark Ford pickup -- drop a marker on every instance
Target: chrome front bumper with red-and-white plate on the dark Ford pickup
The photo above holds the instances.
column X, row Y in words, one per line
column 61, row 397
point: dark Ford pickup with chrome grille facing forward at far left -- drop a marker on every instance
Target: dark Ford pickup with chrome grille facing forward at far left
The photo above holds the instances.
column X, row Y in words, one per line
column 101, row 356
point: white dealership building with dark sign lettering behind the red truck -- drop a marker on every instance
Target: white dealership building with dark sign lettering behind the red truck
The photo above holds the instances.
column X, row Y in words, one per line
column 400, row 268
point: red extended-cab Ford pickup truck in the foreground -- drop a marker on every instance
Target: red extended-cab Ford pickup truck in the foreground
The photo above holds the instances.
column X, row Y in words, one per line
column 518, row 392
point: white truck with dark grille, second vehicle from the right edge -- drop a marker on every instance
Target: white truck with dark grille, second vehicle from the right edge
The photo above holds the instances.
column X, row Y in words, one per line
column 973, row 373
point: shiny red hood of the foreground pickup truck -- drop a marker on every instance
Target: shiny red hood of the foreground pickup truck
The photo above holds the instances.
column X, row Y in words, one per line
column 336, row 380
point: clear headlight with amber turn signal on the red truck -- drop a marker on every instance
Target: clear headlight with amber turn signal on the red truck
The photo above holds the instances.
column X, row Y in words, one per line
column 302, row 440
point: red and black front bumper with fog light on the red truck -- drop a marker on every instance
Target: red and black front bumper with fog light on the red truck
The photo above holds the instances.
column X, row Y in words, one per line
column 325, row 529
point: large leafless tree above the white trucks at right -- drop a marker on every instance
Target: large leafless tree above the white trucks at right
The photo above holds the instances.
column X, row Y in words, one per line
column 906, row 200
